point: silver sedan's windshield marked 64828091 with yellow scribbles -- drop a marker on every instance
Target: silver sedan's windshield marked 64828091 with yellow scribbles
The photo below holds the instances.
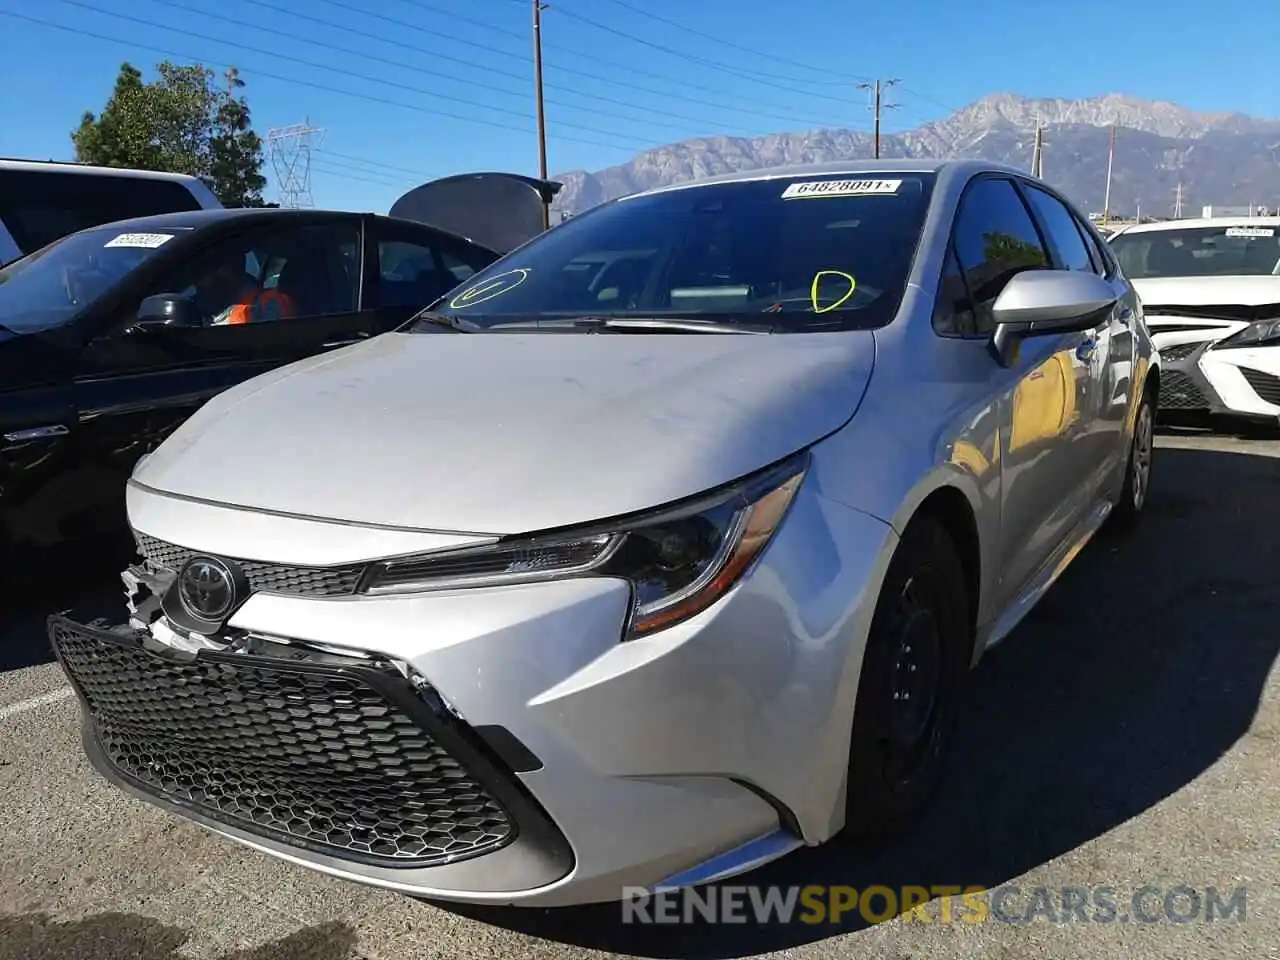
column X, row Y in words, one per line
column 807, row 254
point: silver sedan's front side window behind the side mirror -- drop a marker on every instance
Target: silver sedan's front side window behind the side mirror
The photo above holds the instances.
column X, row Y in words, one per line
column 995, row 239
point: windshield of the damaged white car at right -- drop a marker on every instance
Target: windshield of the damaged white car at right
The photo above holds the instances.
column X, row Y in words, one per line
column 1200, row 252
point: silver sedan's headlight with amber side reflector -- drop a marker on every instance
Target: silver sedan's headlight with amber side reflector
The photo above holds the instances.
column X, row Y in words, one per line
column 679, row 561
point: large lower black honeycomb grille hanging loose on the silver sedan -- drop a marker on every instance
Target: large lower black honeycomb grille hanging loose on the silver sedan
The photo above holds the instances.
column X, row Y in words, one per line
column 323, row 757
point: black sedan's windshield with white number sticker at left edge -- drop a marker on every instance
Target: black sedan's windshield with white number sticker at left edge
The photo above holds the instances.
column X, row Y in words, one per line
column 49, row 287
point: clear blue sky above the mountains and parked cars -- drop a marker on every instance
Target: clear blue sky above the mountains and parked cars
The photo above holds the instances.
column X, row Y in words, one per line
column 410, row 90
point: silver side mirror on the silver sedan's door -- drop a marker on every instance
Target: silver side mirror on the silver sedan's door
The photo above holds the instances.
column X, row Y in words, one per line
column 1043, row 303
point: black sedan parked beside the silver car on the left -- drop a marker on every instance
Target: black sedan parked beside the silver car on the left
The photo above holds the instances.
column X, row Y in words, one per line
column 111, row 337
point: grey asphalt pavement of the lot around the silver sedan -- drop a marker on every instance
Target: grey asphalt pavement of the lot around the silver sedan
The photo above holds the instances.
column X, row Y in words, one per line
column 1126, row 738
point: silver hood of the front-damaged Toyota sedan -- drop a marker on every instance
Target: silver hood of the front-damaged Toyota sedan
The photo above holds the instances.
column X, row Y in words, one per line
column 513, row 433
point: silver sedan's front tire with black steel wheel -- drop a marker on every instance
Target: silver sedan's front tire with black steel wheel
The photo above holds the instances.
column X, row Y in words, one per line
column 920, row 644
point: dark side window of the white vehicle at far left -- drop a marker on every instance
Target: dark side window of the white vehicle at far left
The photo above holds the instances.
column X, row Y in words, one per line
column 40, row 207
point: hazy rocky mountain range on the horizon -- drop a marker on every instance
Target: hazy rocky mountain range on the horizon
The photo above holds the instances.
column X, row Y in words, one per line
column 1218, row 158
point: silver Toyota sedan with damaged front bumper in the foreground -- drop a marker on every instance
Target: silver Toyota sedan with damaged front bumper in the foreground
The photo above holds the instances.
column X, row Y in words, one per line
column 653, row 552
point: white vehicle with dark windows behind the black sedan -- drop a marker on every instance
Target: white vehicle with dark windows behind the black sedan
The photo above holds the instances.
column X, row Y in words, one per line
column 42, row 202
